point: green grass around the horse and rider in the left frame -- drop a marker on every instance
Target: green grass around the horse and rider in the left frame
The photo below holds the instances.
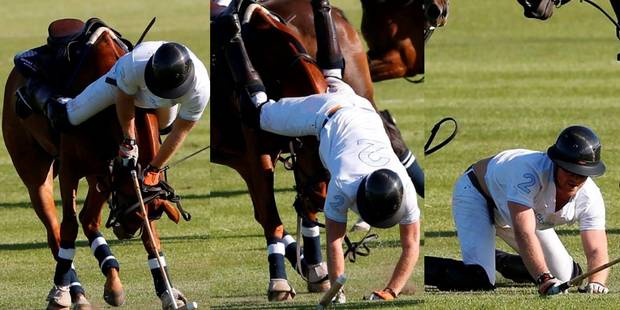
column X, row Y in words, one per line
column 26, row 261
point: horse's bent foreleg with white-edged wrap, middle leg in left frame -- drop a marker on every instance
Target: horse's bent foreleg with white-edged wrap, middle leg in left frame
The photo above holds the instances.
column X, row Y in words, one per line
column 90, row 218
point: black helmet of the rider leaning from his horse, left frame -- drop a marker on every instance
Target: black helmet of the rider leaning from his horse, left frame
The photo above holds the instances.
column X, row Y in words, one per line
column 169, row 73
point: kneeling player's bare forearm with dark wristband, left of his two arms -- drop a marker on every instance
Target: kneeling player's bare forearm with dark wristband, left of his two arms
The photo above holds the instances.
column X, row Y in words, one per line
column 524, row 225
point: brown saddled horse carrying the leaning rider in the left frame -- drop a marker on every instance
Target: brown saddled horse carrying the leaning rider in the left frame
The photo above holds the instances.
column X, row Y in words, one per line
column 39, row 154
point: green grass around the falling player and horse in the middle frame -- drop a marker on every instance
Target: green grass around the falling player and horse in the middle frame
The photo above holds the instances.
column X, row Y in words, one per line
column 238, row 276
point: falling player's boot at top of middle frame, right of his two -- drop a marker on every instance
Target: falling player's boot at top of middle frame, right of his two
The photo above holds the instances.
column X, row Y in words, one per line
column 328, row 53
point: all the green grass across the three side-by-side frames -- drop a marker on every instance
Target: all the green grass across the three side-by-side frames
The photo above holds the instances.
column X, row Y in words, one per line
column 510, row 82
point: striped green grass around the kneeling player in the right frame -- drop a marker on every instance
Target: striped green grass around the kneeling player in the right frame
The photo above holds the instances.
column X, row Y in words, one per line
column 513, row 82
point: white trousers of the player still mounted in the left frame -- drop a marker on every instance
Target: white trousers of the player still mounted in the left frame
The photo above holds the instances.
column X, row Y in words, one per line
column 98, row 96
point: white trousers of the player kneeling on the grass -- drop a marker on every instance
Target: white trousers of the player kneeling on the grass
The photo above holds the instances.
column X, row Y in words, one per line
column 476, row 234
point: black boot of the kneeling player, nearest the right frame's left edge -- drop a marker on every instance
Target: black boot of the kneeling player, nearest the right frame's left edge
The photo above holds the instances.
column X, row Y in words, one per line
column 453, row 275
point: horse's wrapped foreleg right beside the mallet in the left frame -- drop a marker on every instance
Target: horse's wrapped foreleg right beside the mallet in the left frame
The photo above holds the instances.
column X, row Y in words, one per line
column 159, row 278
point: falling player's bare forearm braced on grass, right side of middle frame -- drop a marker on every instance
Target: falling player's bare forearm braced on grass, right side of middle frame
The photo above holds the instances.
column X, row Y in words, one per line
column 410, row 243
